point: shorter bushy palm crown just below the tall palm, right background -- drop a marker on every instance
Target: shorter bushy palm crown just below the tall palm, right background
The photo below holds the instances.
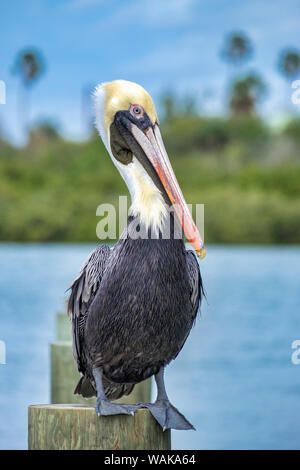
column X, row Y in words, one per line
column 246, row 93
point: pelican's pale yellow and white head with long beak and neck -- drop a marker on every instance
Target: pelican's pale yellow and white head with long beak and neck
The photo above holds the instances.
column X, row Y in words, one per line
column 128, row 124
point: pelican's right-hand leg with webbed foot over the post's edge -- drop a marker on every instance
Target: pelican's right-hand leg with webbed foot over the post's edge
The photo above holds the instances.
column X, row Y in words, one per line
column 163, row 411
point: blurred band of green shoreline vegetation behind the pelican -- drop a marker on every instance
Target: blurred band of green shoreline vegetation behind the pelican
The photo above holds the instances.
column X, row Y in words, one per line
column 247, row 177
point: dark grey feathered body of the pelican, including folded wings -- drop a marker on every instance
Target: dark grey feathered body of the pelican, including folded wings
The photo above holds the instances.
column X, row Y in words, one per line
column 132, row 308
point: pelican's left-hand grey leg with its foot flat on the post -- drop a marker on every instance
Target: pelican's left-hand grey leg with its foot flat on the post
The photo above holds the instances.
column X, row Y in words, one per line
column 103, row 406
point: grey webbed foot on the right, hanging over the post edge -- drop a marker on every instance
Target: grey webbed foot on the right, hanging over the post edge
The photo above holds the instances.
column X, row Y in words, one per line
column 167, row 415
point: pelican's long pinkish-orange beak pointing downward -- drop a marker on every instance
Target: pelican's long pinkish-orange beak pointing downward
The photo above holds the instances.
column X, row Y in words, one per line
column 151, row 142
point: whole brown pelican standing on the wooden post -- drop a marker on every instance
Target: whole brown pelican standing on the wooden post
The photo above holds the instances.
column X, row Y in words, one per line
column 132, row 306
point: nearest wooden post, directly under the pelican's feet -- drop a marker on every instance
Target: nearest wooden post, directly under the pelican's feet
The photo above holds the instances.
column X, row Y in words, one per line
column 77, row 427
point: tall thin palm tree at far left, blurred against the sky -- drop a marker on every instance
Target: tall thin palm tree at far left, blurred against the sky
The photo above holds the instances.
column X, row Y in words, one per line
column 29, row 65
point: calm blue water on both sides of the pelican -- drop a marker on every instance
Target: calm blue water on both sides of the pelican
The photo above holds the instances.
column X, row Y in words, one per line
column 234, row 379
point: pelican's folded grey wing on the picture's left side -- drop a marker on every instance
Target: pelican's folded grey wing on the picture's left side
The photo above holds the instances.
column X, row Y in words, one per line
column 83, row 291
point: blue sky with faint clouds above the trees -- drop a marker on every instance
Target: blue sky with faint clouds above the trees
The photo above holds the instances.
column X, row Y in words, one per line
column 161, row 44
